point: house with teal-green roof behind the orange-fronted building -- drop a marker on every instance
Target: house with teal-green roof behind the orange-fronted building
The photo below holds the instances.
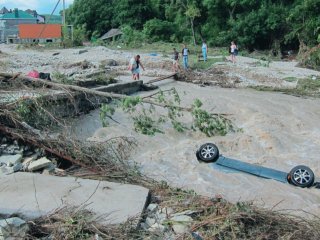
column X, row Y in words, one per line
column 9, row 22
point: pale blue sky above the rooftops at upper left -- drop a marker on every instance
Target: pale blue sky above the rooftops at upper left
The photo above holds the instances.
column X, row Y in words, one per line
column 41, row 6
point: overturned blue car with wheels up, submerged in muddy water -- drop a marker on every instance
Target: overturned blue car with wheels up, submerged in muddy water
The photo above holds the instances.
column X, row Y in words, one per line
column 300, row 176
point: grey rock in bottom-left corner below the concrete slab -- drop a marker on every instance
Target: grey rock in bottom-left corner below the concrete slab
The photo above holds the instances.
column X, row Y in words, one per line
column 13, row 228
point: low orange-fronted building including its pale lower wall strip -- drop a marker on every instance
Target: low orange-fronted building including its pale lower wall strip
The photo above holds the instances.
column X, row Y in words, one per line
column 30, row 33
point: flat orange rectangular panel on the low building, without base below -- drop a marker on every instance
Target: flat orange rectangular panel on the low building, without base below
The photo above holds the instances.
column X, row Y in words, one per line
column 34, row 30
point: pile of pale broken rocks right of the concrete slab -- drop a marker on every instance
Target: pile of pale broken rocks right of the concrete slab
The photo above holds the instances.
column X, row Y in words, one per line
column 166, row 222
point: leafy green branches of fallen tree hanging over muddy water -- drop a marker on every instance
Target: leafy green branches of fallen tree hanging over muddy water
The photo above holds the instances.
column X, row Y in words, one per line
column 147, row 120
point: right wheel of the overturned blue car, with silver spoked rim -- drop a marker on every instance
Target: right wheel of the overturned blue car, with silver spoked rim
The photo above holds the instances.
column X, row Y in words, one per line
column 301, row 176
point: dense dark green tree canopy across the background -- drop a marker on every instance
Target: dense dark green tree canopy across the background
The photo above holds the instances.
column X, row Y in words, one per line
column 253, row 24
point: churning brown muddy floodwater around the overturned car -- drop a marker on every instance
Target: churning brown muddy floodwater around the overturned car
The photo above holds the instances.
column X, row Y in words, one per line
column 277, row 131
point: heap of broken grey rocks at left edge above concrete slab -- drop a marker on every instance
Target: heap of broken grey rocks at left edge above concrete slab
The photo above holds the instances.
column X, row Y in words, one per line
column 16, row 157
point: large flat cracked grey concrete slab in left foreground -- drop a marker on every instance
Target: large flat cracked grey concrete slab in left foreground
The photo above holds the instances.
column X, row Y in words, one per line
column 34, row 195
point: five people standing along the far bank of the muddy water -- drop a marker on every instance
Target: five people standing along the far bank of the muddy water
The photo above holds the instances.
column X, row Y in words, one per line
column 135, row 63
